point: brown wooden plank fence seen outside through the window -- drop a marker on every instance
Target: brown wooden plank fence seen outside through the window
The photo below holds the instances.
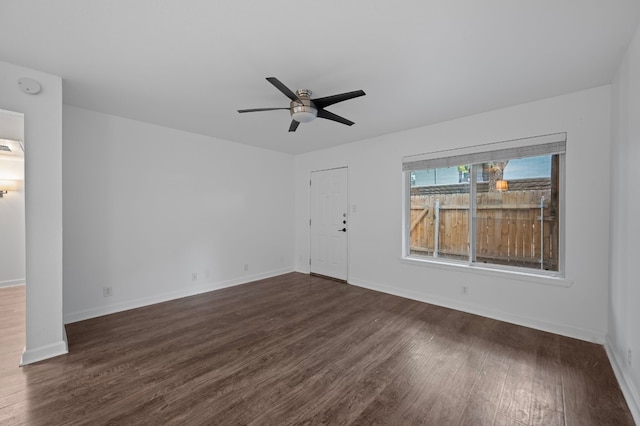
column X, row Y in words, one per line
column 511, row 228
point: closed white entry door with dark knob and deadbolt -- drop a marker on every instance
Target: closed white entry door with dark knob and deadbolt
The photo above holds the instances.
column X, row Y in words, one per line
column 329, row 223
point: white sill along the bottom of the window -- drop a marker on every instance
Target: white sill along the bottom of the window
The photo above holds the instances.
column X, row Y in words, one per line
column 478, row 269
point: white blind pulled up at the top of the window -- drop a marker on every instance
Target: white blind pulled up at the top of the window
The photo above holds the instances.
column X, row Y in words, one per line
column 518, row 148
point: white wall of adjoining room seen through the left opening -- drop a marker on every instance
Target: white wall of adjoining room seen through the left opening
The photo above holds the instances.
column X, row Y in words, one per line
column 12, row 238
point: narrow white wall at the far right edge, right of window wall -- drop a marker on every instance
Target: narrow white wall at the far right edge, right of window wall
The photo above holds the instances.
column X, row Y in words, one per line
column 624, row 302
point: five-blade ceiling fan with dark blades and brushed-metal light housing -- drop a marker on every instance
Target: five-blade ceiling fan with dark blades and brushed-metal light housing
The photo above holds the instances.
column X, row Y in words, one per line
column 304, row 109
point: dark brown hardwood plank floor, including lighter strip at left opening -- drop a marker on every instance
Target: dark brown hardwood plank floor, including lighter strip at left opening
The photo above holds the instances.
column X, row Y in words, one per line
column 297, row 349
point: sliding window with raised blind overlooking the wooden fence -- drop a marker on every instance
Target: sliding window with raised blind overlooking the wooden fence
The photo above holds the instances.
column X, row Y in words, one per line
column 496, row 205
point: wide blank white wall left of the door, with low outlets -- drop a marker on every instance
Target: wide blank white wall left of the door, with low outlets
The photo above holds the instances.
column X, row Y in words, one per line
column 146, row 206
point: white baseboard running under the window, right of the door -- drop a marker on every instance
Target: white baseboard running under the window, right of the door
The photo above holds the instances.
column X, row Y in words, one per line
column 595, row 336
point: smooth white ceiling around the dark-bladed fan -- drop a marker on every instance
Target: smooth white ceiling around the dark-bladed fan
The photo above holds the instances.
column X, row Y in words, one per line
column 191, row 64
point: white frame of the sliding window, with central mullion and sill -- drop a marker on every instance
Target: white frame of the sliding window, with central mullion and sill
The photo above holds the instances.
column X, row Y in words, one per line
column 448, row 157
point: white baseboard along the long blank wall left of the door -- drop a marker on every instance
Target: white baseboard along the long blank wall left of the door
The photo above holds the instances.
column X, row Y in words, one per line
column 165, row 297
